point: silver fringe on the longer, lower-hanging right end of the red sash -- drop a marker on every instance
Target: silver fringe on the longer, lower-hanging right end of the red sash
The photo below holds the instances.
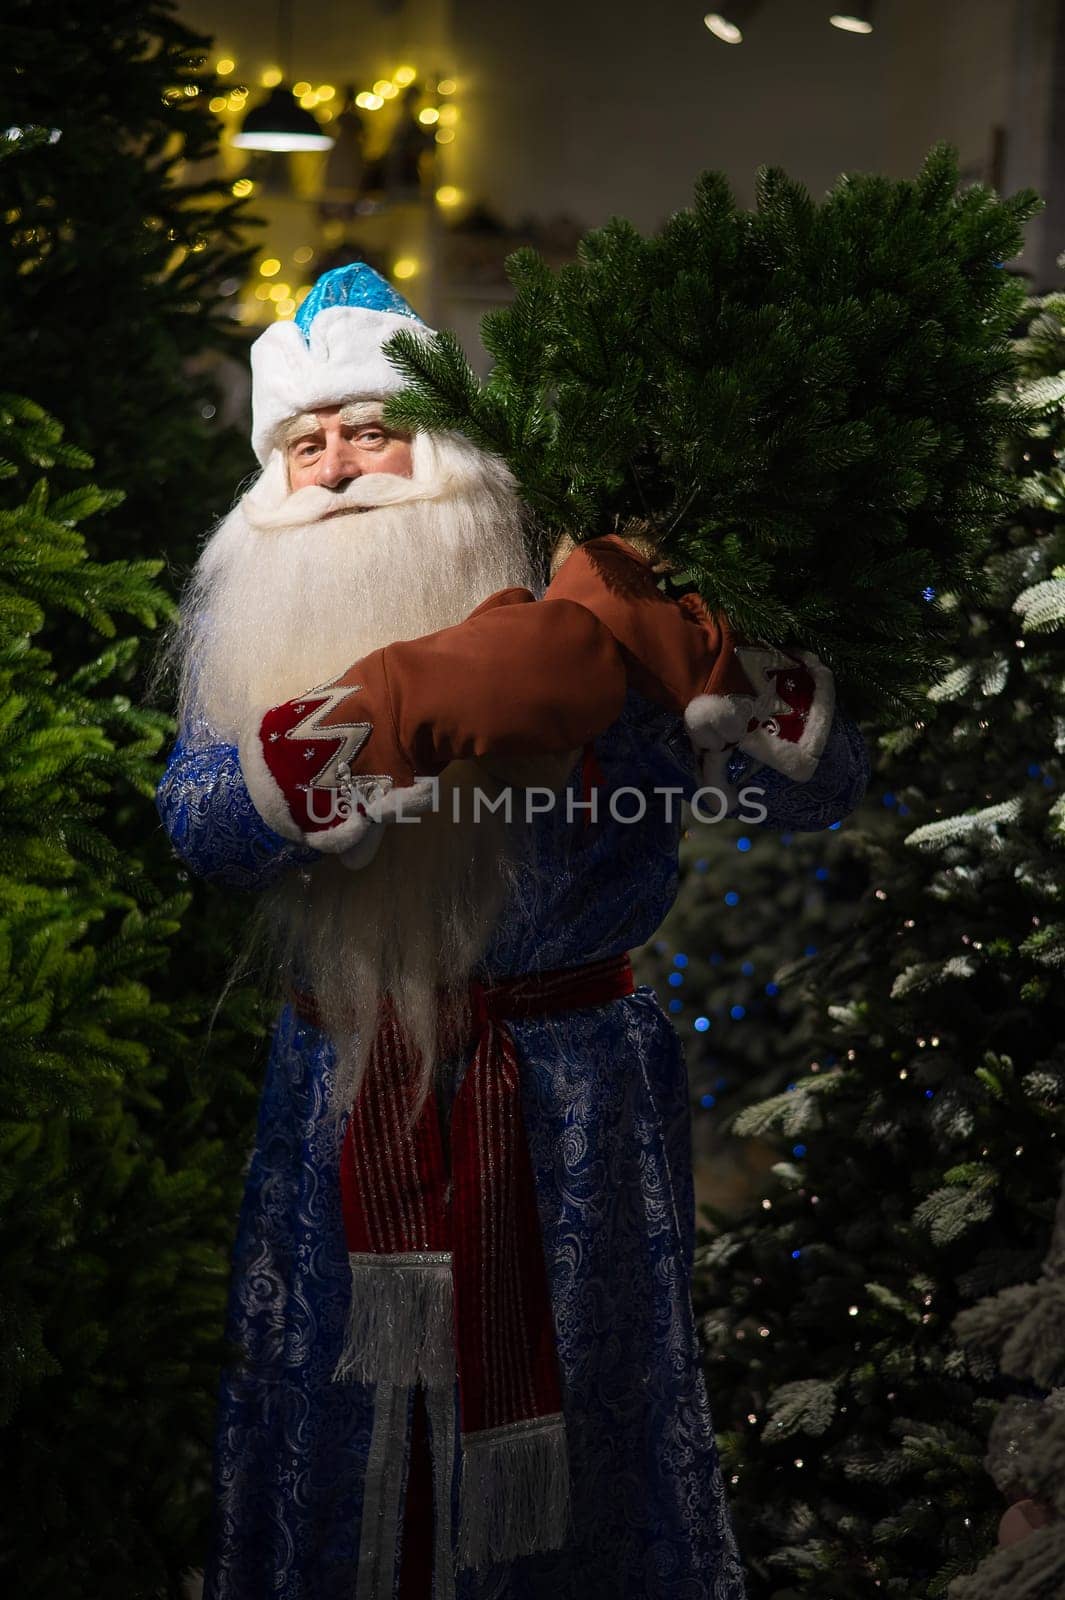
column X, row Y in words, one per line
column 514, row 1492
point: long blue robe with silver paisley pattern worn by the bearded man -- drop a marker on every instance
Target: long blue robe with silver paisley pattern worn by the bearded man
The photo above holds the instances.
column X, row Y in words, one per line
column 607, row 1110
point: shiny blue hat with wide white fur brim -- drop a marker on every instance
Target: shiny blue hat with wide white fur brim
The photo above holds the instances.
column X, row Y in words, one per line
column 333, row 351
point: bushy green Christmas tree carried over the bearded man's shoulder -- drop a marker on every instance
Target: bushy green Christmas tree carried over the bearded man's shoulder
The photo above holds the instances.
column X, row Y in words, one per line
column 655, row 385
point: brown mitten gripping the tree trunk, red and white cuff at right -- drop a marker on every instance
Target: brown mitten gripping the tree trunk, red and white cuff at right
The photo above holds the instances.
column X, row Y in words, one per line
column 773, row 705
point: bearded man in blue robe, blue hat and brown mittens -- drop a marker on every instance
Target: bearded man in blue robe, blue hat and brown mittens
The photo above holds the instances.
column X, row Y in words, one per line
column 461, row 1289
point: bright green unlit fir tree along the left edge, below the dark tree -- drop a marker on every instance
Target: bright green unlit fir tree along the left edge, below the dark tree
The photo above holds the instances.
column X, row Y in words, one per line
column 116, row 1201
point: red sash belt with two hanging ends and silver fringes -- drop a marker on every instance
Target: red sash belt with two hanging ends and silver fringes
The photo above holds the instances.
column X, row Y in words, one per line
column 485, row 1226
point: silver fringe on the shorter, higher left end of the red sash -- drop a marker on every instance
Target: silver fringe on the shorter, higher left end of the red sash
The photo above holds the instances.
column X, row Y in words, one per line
column 401, row 1322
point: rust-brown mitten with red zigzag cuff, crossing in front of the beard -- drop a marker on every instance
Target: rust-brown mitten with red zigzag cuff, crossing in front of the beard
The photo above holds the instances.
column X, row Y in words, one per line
column 514, row 679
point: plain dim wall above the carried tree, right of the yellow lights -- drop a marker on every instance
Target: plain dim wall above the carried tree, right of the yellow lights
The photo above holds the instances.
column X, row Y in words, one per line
column 596, row 108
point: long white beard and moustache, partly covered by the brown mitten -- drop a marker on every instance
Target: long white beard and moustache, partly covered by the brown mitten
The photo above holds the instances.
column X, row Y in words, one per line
column 284, row 601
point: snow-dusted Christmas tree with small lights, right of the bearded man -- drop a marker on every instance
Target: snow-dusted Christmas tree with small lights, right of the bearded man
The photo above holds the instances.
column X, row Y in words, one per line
column 919, row 1143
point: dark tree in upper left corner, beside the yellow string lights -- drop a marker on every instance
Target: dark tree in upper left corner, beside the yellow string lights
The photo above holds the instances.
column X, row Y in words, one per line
column 118, row 254
